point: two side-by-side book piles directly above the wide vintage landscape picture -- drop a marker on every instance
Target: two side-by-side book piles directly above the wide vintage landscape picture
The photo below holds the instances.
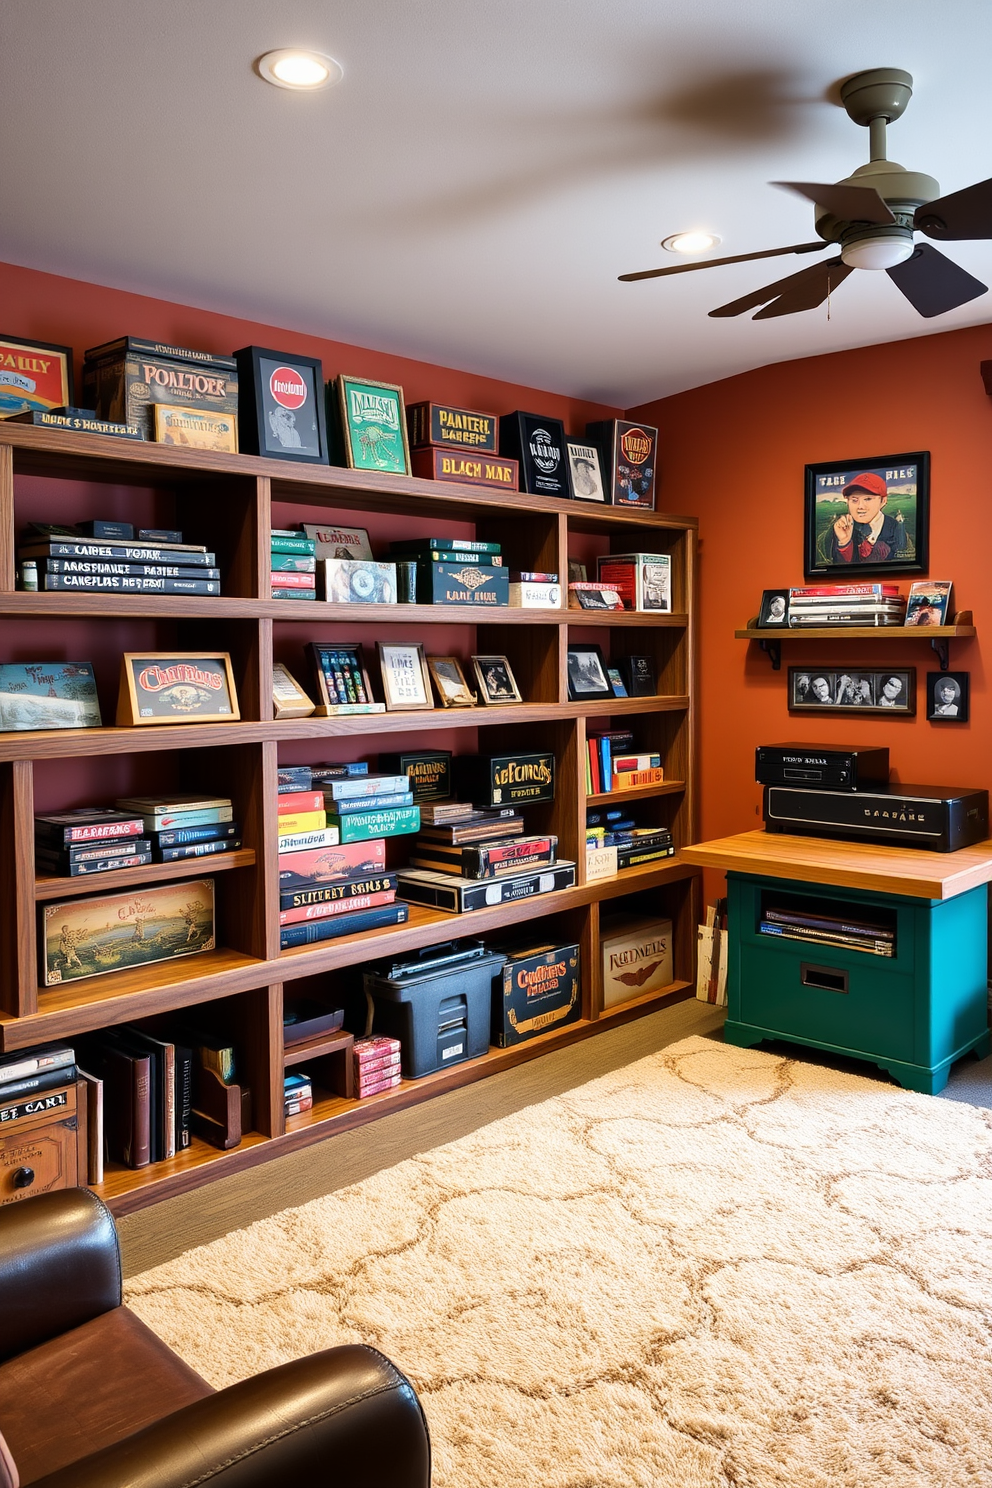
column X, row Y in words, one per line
column 133, row 833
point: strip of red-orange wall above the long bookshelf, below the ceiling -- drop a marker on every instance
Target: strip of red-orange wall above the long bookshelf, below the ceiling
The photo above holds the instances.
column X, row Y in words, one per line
column 81, row 316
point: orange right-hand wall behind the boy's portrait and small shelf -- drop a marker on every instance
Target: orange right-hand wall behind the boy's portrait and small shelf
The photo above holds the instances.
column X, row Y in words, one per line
column 734, row 455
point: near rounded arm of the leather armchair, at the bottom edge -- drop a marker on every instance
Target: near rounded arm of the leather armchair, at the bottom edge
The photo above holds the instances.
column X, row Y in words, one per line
column 343, row 1419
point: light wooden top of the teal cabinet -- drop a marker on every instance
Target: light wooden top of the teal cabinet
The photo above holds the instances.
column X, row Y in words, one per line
column 848, row 865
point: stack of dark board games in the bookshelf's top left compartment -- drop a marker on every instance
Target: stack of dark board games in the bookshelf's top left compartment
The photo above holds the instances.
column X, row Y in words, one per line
column 111, row 557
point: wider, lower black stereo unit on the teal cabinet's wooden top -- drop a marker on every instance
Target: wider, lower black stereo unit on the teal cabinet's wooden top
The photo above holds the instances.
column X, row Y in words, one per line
column 938, row 818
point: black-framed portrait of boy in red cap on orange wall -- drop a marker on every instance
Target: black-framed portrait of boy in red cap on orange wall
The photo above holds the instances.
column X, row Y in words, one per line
column 868, row 519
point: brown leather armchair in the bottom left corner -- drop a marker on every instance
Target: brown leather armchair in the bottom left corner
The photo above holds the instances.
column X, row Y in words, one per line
column 91, row 1398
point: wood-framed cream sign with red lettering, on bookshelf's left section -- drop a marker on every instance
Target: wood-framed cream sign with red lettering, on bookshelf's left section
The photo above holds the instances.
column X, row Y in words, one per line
column 176, row 688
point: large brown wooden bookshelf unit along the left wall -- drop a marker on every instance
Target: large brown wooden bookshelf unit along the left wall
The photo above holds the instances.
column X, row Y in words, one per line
column 231, row 504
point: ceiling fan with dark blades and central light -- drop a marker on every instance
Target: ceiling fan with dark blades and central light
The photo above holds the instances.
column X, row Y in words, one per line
column 872, row 217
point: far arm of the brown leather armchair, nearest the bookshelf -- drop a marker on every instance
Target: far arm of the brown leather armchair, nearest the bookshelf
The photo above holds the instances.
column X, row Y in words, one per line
column 60, row 1267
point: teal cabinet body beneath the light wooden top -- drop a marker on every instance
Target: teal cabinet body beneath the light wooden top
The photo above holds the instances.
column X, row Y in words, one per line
column 912, row 1014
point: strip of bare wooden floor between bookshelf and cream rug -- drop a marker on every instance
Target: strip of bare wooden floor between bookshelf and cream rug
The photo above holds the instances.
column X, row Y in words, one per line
column 166, row 1230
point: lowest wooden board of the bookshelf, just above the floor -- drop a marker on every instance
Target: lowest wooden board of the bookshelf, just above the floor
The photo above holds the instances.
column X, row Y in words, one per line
column 127, row 1191
